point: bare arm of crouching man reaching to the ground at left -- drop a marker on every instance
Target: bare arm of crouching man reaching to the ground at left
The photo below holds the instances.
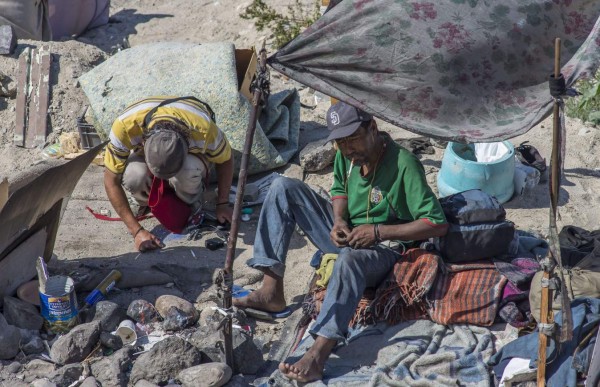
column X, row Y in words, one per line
column 143, row 239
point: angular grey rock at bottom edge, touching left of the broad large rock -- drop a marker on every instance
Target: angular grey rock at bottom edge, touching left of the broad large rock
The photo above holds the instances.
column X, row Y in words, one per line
column 111, row 371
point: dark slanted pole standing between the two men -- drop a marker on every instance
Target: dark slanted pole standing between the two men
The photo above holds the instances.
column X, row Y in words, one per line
column 257, row 102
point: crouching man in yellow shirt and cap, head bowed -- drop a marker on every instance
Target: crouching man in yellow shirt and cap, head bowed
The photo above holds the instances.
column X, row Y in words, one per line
column 174, row 139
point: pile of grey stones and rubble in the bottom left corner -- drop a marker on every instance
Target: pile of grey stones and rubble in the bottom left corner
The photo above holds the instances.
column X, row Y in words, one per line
column 174, row 345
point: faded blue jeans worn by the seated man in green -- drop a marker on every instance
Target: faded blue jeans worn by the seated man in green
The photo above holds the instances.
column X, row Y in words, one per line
column 290, row 202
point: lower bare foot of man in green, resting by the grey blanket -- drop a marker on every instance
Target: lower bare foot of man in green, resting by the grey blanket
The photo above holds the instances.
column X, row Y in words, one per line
column 310, row 367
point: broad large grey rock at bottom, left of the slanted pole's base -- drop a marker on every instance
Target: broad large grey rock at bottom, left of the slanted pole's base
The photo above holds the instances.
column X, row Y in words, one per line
column 165, row 360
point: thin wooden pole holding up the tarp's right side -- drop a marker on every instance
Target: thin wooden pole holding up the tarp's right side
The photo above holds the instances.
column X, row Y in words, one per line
column 546, row 315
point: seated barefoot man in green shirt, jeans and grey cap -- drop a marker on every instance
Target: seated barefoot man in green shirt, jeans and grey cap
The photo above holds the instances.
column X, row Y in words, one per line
column 379, row 194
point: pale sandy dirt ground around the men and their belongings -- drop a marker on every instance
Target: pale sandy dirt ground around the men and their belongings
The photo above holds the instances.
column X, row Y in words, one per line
column 84, row 239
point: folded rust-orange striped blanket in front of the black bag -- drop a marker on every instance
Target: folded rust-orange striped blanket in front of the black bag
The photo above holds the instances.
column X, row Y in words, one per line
column 468, row 293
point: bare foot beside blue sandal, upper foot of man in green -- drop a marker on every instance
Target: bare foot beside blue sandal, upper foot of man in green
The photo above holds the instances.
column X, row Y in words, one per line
column 269, row 297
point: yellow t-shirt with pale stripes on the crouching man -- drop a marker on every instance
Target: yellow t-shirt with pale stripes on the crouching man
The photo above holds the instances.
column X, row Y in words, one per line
column 203, row 135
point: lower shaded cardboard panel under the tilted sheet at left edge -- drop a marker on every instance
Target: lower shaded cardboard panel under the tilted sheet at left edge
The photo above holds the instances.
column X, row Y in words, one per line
column 19, row 265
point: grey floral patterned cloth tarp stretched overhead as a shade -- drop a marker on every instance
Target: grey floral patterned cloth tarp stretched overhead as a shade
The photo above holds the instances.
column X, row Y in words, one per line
column 460, row 70
